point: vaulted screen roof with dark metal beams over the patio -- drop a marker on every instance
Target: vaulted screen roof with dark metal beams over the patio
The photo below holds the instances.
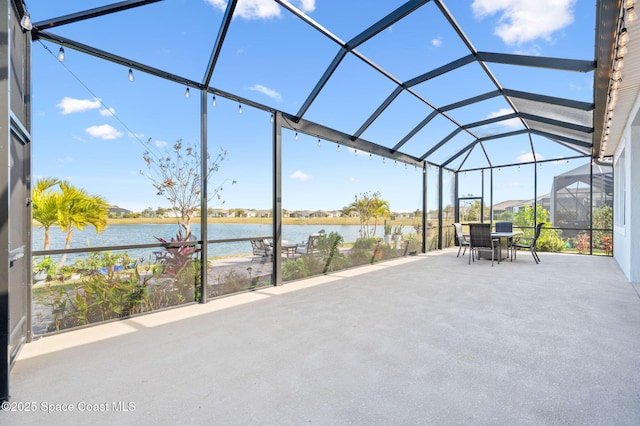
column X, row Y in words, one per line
column 403, row 79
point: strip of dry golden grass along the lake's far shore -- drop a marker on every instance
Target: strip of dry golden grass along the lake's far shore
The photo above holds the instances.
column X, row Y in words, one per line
column 253, row 220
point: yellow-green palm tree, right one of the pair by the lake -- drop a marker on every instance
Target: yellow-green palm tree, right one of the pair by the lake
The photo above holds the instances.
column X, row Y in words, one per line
column 78, row 209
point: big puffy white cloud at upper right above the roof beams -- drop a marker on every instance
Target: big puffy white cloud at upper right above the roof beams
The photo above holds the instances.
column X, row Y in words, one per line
column 522, row 21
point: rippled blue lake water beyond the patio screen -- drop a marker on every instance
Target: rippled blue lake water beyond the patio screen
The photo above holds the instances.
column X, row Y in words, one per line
column 116, row 235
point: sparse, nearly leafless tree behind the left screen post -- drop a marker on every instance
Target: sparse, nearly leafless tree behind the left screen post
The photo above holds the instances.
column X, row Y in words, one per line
column 176, row 176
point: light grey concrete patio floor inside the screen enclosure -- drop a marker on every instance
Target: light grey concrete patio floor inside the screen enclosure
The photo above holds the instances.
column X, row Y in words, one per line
column 419, row 340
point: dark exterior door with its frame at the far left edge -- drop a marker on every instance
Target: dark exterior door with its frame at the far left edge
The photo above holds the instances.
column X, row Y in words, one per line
column 15, row 187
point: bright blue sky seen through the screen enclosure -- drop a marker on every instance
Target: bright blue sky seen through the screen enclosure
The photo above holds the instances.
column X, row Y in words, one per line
column 91, row 122
